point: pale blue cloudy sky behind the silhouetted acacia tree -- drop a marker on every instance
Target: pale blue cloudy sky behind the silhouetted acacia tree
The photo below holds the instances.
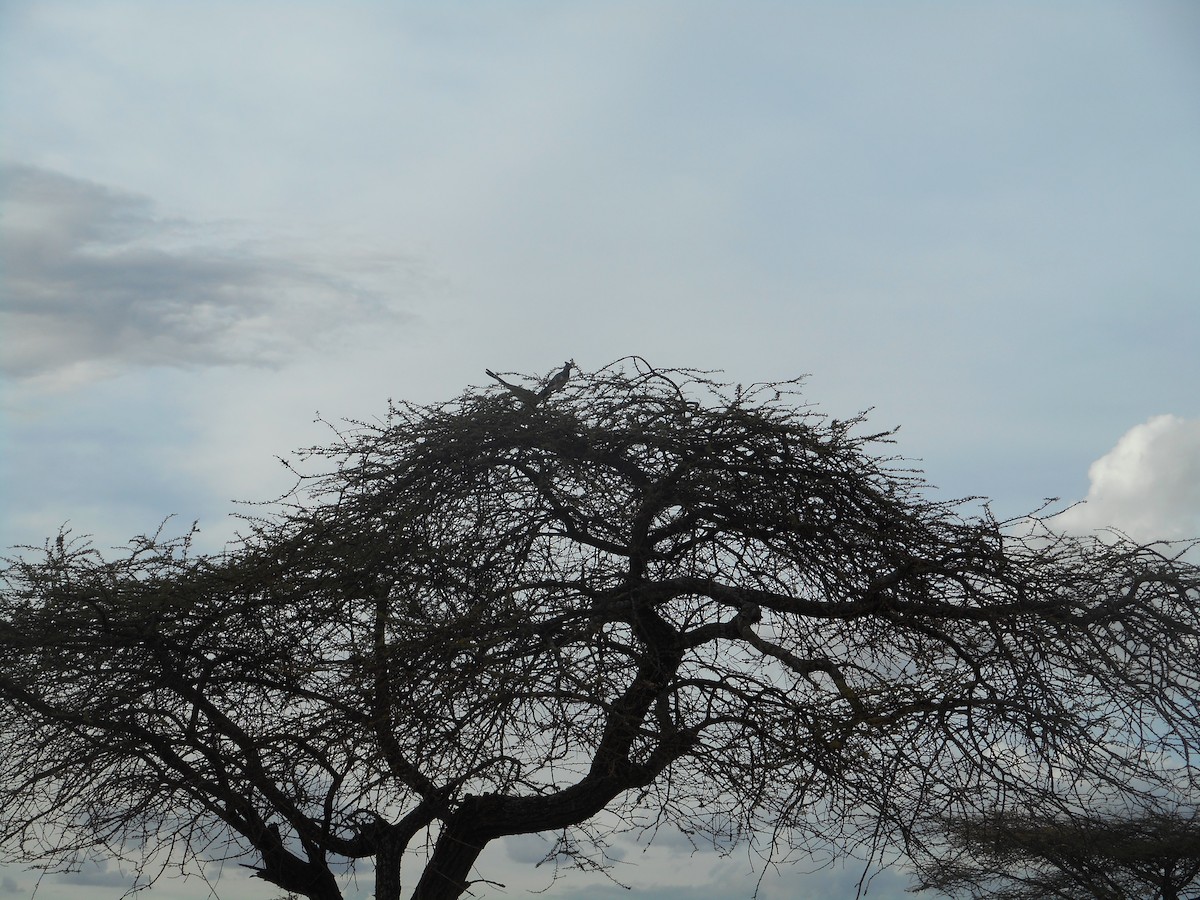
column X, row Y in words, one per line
column 223, row 220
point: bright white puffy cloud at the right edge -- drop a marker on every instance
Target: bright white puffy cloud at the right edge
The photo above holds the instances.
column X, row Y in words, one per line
column 1148, row 485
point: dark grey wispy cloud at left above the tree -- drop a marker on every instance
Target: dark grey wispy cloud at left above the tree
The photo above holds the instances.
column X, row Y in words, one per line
column 94, row 280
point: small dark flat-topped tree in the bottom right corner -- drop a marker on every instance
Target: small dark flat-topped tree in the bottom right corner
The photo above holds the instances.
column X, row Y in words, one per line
column 1139, row 855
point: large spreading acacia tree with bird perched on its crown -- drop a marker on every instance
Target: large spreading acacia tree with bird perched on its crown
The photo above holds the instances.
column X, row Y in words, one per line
column 691, row 605
